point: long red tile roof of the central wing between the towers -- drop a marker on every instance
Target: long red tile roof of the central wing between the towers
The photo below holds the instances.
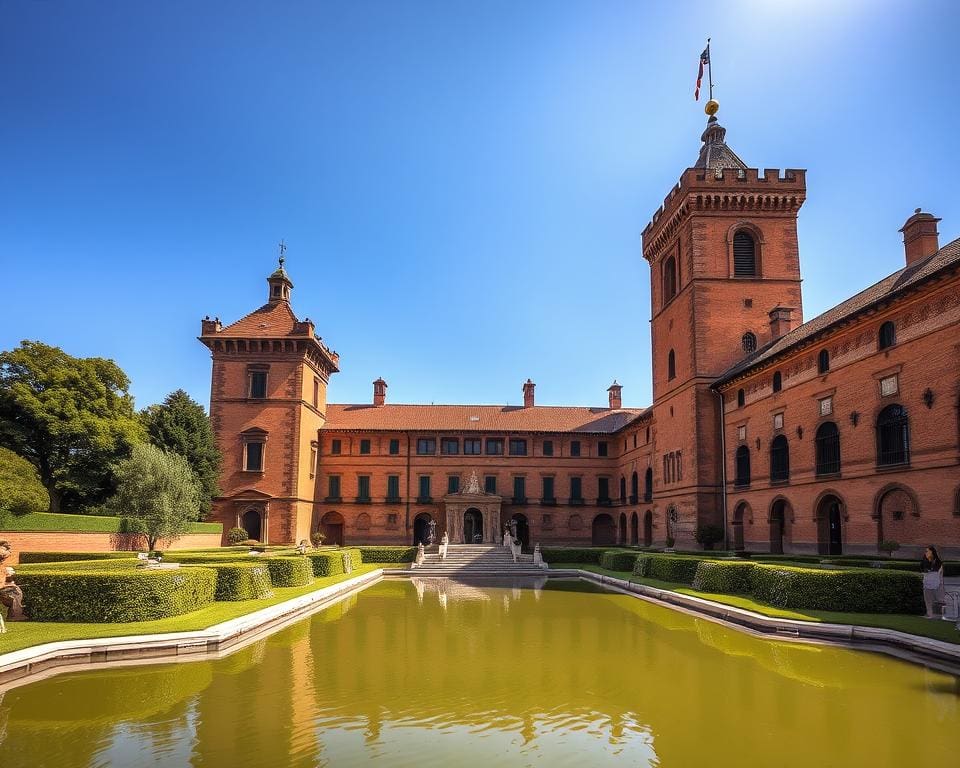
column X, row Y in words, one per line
column 480, row 418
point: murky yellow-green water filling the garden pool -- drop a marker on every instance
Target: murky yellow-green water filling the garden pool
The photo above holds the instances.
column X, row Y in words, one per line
column 435, row 674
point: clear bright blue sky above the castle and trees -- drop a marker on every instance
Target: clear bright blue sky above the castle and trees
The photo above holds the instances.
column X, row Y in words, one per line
column 461, row 185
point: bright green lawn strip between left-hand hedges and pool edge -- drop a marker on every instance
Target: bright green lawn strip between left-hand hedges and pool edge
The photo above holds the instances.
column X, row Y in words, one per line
column 23, row 634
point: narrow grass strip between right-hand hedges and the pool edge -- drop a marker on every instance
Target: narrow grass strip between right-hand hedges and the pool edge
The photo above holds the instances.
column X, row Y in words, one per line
column 914, row 625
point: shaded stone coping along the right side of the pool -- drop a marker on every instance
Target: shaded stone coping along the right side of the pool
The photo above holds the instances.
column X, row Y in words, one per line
column 903, row 645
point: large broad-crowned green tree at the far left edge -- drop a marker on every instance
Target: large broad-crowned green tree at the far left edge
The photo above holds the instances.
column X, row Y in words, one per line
column 72, row 418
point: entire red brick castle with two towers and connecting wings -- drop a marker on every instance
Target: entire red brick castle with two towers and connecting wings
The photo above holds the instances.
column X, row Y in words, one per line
column 828, row 436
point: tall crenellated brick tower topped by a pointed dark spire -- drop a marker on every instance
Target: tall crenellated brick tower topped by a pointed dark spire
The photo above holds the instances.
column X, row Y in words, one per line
column 724, row 281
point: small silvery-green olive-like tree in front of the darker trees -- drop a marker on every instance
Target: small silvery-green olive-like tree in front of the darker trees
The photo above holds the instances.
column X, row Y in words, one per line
column 158, row 489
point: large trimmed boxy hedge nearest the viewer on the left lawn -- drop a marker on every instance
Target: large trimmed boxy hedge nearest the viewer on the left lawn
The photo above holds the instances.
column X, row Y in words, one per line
column 115, row 596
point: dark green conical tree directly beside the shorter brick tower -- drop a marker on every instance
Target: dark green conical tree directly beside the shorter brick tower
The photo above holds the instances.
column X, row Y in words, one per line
column 180, row 424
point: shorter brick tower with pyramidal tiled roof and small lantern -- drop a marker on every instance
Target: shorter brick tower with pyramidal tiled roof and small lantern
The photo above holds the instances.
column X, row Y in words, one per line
column 267, row 402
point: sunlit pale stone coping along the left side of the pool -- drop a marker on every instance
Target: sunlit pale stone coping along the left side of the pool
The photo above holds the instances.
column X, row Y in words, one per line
column 69, row 655
